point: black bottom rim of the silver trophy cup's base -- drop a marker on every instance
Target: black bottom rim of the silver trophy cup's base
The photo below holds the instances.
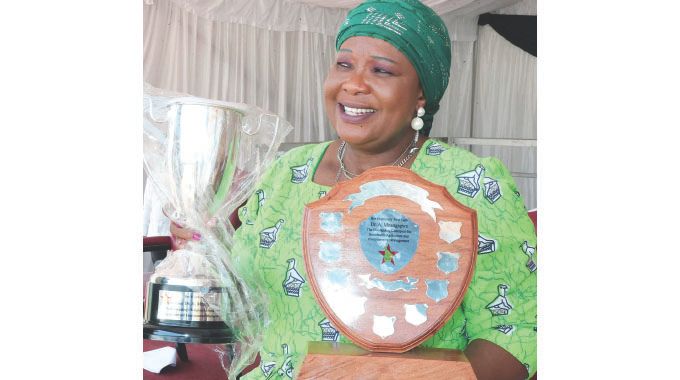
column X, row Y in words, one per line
column 187, row 334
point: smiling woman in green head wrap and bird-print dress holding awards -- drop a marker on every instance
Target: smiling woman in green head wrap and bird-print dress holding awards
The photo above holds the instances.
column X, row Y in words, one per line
column 392, row 67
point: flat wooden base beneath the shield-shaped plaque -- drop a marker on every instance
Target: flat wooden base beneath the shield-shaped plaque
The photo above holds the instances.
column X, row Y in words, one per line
column 329, row 360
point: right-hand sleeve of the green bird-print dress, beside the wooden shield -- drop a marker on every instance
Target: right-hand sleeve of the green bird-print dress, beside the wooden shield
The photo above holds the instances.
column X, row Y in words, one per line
column 500, row 304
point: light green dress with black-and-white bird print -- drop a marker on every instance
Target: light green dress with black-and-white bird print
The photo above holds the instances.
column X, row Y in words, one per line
column 499, row 306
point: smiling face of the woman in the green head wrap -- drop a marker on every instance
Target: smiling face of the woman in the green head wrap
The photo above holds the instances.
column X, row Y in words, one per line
column 371, row 94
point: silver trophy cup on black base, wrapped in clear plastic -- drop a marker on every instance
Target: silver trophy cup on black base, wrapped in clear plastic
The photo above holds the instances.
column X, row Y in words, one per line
column 205, row 156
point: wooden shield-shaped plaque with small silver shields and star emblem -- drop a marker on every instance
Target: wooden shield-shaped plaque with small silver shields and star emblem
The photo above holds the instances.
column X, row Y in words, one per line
column 389, row 256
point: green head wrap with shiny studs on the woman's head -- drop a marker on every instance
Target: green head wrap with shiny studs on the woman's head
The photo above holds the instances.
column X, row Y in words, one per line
column 415, row 30
